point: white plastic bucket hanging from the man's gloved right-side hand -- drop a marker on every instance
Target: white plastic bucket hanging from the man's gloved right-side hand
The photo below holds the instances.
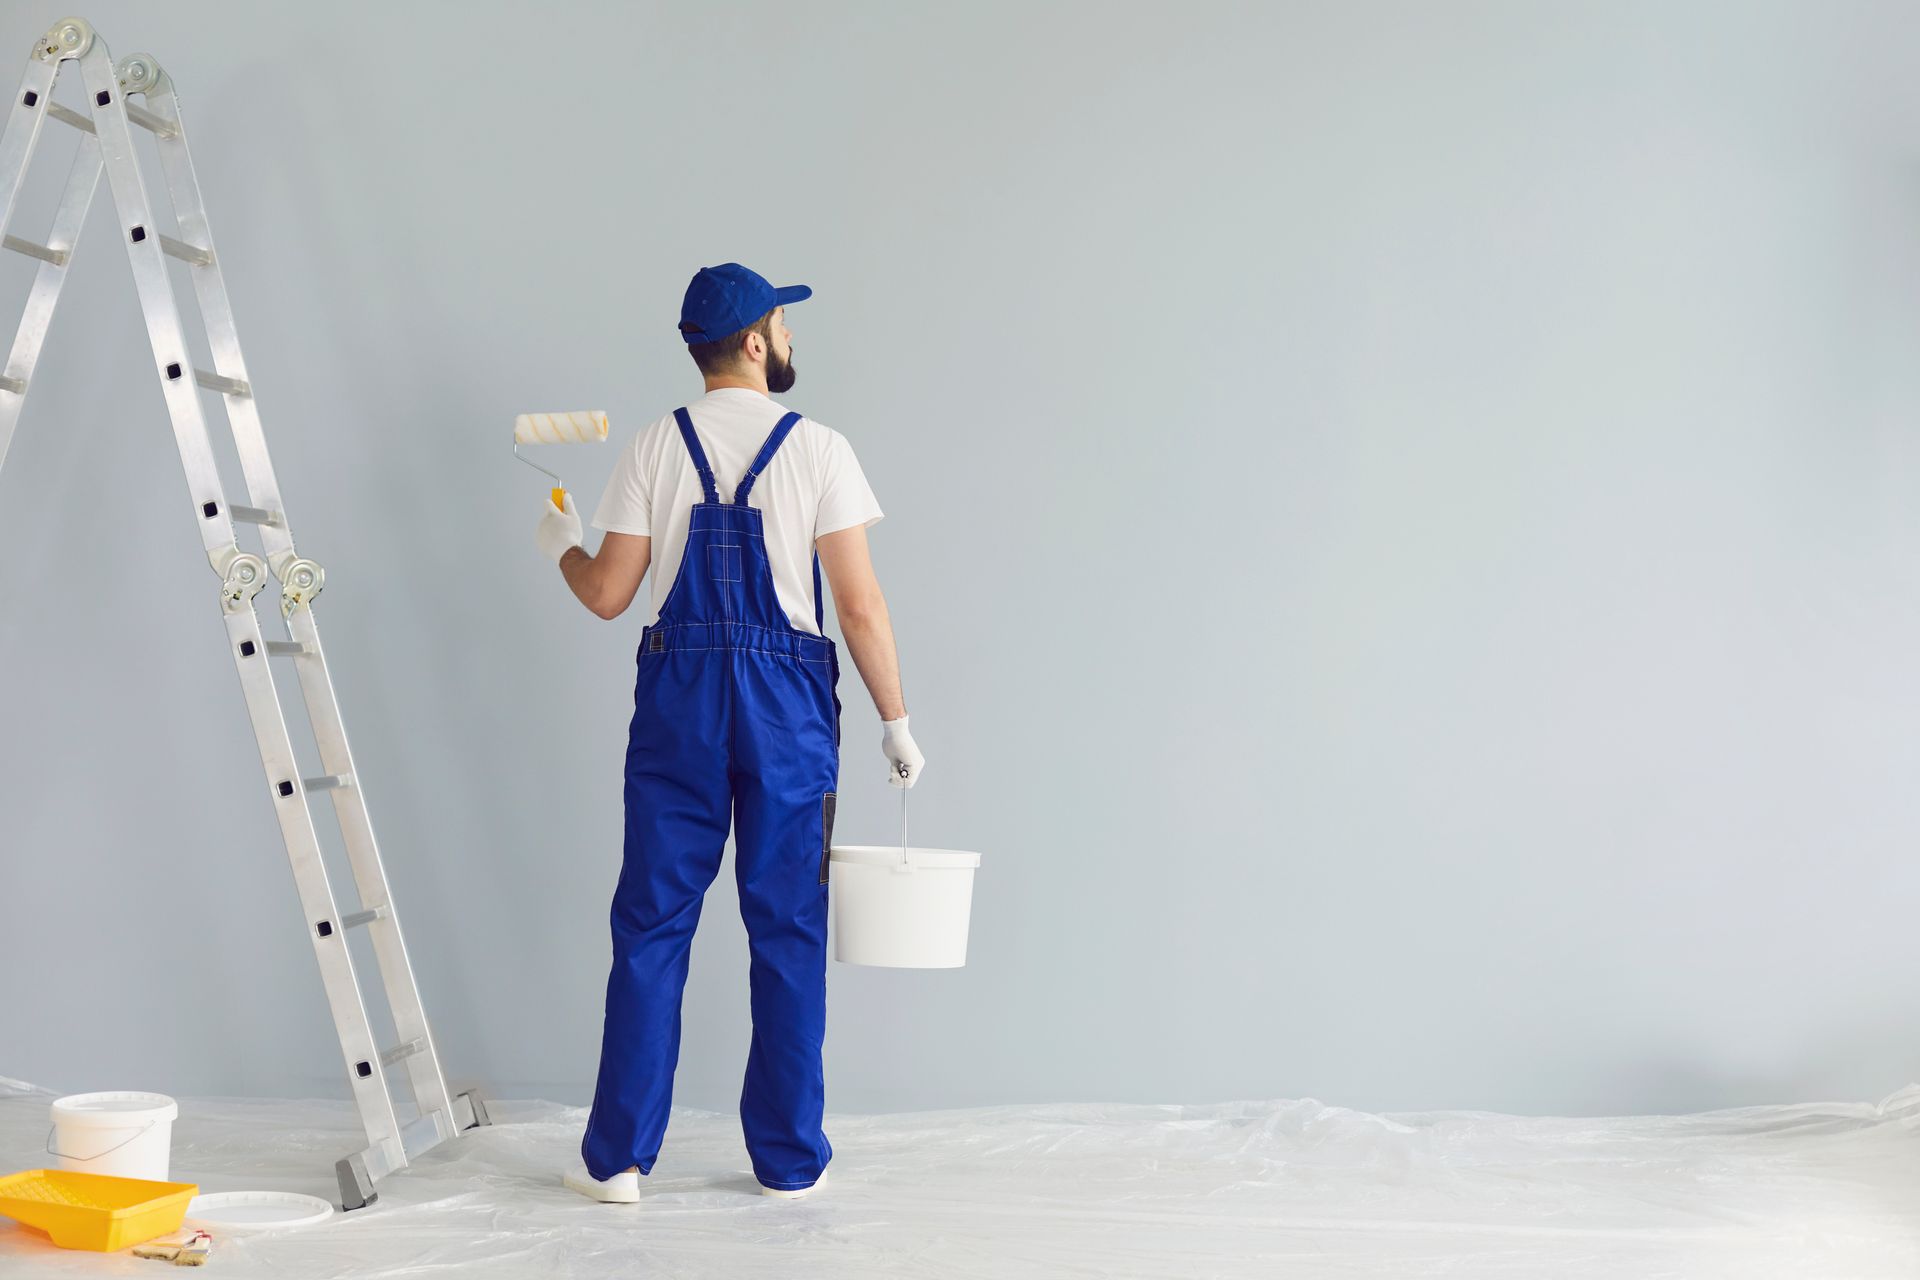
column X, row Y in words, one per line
column 903, row 909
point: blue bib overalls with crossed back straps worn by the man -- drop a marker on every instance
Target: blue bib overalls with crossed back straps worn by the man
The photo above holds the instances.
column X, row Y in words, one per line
column 736, row 717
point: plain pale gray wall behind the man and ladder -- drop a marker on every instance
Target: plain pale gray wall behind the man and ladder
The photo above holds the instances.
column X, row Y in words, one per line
column 1401, row 534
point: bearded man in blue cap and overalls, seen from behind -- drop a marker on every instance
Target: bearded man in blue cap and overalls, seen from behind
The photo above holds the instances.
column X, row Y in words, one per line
column 736, row 719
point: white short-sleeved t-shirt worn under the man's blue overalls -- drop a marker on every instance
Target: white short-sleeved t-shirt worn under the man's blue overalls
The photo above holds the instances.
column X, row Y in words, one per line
column 811, row 488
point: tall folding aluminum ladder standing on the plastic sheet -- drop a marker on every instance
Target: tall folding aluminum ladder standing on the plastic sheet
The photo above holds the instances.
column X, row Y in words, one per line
column 107, row 143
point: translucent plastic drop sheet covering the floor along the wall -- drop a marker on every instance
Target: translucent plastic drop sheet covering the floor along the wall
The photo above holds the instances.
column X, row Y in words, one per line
column 1247, row 1189
